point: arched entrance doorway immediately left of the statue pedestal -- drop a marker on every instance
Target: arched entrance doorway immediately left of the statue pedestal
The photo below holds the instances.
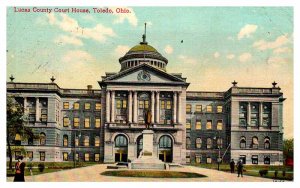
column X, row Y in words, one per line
column 121, row 148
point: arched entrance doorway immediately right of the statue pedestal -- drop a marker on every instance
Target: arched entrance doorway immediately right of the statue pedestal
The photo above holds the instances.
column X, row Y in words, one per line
column 165, row 149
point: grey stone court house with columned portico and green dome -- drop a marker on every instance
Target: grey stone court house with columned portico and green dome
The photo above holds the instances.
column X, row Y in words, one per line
column 106, row 124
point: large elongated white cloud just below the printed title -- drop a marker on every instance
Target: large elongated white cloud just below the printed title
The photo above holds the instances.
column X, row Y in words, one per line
column 99, row 33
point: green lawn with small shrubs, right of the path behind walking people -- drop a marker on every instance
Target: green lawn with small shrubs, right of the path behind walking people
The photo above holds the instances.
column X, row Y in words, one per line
column 253, row 170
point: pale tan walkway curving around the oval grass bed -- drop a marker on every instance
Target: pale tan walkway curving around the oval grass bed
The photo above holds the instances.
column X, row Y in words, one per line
column 92, row 174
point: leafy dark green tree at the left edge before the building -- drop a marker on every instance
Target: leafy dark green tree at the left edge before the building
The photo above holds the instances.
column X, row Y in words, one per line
column 16, row 121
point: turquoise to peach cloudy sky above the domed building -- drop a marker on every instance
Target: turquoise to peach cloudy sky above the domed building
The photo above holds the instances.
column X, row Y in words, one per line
column 252, row 45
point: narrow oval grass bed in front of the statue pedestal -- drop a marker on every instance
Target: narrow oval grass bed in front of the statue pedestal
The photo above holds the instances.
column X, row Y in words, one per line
column 152, row 174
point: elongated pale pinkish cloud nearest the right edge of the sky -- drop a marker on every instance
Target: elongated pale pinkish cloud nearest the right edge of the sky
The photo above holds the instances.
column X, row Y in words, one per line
column 264, row 45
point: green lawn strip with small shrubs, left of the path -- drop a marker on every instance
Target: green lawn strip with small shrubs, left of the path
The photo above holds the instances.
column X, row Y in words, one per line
column 49, row 167
